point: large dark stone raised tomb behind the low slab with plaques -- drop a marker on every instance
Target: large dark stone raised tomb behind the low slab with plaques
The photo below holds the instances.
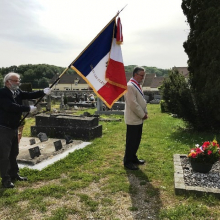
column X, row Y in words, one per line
column 57, row 126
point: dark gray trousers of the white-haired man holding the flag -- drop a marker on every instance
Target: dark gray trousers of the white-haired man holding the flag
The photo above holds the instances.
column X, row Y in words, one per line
column 8, row 153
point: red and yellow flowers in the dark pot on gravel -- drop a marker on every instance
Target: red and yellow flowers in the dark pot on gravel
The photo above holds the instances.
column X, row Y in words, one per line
column 209, row 152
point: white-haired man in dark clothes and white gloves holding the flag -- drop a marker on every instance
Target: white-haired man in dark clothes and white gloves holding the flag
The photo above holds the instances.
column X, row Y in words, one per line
column 11, row 109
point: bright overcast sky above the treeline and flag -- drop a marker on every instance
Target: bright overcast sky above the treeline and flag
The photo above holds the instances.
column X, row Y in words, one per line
column 56, row 31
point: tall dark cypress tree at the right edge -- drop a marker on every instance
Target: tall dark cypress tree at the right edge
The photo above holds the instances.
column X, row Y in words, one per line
column 203, row 50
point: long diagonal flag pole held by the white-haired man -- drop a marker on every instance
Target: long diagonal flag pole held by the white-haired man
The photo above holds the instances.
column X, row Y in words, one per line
column 72, row 63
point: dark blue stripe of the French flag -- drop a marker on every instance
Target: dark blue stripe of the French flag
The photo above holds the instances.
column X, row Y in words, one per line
column 96, row 51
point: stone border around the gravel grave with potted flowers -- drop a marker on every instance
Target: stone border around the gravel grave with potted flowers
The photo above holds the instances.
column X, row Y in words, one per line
column 179, row 184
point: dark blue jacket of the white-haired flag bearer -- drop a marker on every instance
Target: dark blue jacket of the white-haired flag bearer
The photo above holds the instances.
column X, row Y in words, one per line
column 11, row 107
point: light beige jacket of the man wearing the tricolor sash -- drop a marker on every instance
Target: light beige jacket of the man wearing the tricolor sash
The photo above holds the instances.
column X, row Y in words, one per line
column 135, row 106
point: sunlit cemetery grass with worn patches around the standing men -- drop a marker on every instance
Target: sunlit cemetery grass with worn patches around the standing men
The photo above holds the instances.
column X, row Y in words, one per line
column 92, row 183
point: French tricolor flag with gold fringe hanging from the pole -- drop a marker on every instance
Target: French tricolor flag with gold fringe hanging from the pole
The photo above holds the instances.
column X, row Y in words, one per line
column 101, row 65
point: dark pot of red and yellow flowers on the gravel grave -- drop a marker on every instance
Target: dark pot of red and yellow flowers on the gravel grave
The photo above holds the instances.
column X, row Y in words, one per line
column 203, row 157
